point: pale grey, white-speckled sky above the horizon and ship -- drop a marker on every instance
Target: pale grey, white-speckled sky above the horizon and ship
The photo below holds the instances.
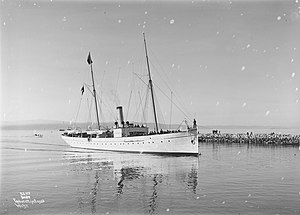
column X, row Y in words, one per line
column 221, row 62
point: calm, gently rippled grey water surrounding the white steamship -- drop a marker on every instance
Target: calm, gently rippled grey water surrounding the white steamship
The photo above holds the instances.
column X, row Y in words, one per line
column 45, row 176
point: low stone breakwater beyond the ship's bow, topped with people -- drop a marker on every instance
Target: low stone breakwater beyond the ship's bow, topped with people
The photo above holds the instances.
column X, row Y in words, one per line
column 260, row 139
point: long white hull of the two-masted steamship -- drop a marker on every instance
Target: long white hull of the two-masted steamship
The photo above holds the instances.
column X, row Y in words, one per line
column 185, row 142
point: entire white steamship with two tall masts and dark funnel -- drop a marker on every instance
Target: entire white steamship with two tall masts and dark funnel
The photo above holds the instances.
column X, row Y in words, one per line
column 125, row 137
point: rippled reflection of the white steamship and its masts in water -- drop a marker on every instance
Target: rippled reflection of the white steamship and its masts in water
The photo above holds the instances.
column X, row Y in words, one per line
column 123, row 183
